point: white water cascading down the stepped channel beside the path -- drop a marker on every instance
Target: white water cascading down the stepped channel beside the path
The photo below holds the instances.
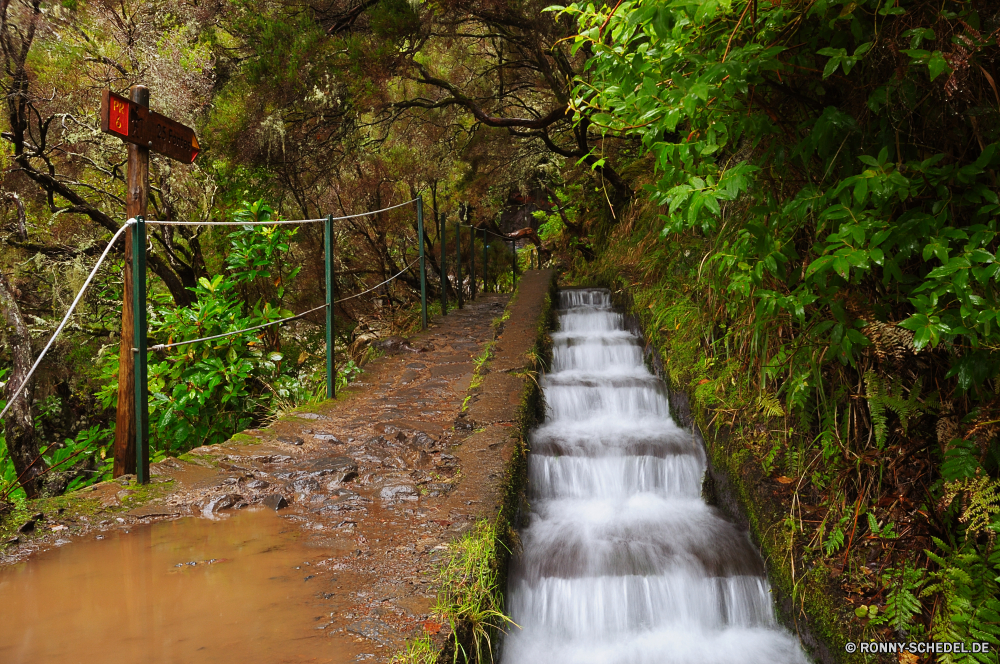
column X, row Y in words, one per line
column 622, row 560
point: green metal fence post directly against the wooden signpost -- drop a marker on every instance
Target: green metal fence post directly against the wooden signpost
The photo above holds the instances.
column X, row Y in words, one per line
column 139, row 348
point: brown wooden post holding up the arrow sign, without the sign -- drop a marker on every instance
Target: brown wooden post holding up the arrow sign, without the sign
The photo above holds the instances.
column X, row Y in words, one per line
column 136, row 200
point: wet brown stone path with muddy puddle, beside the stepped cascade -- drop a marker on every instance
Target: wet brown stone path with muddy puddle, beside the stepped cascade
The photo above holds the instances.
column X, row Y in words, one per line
column 377, row 481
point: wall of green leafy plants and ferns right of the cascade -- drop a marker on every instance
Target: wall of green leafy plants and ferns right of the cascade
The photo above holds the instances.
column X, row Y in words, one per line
column 826, row 197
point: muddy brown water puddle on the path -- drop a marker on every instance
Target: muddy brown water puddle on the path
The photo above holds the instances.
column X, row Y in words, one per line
column 136, row 597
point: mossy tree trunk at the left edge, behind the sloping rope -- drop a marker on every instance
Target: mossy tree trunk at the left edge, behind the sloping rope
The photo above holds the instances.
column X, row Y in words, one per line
column 19, row 427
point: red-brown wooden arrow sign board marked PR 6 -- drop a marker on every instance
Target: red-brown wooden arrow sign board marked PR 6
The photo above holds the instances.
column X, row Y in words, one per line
column 137, row 124
